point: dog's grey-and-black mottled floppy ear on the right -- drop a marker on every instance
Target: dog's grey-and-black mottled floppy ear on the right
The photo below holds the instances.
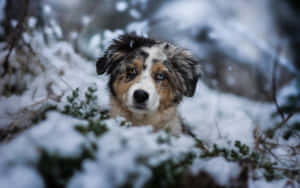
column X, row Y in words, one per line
column 187, row 70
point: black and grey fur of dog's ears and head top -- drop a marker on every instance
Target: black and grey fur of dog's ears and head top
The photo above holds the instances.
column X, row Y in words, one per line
column 182, row 67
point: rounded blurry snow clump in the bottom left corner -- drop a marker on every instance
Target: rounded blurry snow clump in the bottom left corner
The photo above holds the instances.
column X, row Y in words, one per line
column 16, row 168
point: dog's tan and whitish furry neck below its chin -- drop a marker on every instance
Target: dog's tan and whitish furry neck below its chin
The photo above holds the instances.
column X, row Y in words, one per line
column 167, row 119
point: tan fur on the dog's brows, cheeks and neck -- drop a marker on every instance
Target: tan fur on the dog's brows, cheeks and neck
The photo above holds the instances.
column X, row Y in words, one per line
column 167, row 110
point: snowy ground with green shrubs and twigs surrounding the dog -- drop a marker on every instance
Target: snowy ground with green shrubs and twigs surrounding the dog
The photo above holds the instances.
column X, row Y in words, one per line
column 67, row 139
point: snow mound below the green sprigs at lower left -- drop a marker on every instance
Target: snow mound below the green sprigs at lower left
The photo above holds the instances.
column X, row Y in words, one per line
column 44, row 135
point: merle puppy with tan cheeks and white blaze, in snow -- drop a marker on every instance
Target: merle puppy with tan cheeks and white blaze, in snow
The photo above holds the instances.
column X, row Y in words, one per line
column 148, row 79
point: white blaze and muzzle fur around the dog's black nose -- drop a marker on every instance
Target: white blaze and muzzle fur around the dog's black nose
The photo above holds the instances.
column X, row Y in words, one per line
column 147, row 83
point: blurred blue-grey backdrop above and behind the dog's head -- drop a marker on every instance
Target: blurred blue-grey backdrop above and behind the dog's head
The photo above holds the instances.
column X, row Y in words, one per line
column 238, row 40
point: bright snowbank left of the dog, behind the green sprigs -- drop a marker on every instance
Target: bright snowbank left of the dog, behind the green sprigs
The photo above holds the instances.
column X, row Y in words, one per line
column 56, row 59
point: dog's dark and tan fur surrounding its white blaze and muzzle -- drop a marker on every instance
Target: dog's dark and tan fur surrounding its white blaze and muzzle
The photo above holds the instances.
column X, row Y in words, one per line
column 182, row 74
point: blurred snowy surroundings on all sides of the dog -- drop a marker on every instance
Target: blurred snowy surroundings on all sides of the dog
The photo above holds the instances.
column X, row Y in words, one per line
column 55, row 129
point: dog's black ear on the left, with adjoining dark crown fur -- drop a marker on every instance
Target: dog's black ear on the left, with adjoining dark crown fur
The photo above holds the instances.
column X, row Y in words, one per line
column 119, row 50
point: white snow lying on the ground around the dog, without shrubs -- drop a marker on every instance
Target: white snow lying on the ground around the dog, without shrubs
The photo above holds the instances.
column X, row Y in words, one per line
column 214, row 117
